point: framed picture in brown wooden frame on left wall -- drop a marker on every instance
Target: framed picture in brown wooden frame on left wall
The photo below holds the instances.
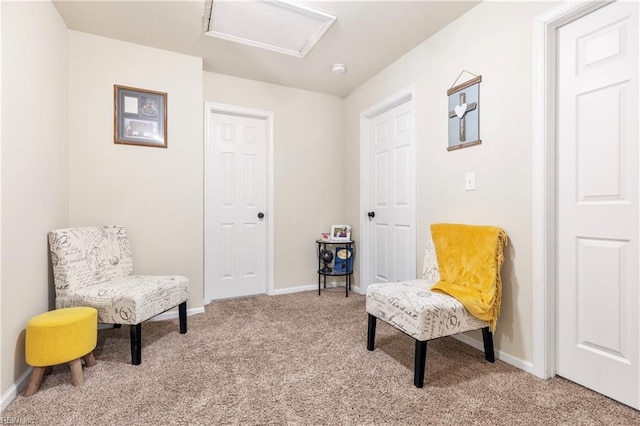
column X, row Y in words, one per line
column 140, row 117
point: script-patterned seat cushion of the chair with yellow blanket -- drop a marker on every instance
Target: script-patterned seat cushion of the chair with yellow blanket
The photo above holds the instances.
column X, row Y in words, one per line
column 414, row 309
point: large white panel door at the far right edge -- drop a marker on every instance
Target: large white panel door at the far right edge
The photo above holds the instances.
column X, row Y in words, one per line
column 598, row 223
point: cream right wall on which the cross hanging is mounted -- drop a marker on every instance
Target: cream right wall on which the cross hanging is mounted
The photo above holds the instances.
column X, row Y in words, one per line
column 493, row 39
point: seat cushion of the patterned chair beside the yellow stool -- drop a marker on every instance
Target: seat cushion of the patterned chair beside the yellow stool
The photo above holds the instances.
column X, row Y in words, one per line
column 129, row 300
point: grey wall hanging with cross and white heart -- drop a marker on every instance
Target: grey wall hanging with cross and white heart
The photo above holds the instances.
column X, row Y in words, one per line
column 464, row 114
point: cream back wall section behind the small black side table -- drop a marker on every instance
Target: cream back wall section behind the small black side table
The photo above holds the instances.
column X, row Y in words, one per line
column 309, row 165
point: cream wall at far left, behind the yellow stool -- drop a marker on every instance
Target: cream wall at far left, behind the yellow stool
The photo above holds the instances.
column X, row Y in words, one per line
column 34, row 168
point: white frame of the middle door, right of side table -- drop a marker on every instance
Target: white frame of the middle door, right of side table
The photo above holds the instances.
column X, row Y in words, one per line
column 405, row 95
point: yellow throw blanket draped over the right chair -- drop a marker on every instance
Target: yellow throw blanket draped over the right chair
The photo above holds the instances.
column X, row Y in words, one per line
column 469, row 260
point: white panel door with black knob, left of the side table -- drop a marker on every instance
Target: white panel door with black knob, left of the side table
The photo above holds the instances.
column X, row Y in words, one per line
column 238, row 200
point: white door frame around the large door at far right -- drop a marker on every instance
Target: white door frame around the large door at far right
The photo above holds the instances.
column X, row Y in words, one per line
column 544, row 214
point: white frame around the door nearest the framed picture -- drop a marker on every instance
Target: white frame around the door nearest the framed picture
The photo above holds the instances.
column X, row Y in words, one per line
column 212, row 107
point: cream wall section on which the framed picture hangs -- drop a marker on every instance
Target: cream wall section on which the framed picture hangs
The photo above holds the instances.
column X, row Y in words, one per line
column 157, row 194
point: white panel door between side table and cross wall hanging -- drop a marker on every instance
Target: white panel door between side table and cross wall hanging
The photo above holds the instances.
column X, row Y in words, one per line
column 392, row 195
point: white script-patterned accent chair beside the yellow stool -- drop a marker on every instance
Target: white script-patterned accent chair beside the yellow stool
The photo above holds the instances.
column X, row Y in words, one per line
column 92, row 266
